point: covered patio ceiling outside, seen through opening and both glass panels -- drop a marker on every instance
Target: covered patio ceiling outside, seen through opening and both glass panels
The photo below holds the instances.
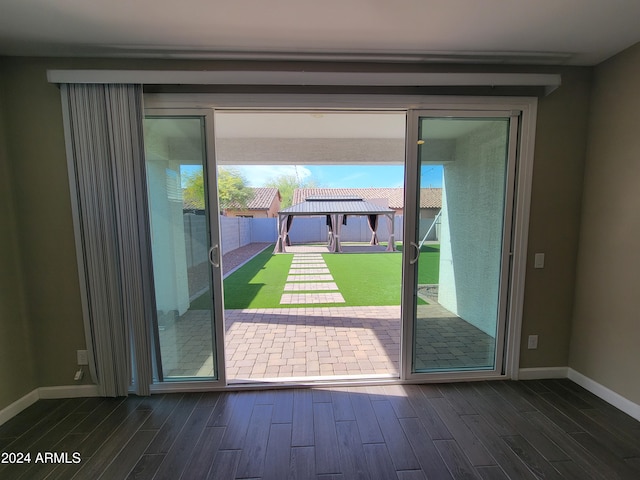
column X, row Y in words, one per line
column 302, row 138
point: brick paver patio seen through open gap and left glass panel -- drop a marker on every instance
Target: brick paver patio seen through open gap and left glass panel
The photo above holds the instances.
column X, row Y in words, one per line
column 287, row 342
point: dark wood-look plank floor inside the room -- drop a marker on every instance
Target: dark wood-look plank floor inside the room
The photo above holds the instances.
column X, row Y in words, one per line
column 486, row 430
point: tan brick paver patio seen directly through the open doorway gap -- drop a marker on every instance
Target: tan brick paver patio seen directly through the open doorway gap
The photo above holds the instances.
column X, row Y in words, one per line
column 311, row 342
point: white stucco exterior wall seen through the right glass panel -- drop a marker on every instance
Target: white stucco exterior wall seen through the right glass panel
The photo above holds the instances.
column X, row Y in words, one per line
column 472, row 220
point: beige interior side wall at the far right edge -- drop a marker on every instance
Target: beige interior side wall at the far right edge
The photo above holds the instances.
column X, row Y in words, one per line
column 605, row 344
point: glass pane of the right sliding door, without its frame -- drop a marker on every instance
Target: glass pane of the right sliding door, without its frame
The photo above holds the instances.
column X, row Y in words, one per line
column 461, row 243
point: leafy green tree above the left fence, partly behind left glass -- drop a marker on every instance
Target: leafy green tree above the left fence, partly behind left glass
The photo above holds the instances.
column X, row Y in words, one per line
column 232, row 189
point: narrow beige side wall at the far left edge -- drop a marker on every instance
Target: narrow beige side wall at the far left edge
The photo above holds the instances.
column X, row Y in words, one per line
column 17, row 373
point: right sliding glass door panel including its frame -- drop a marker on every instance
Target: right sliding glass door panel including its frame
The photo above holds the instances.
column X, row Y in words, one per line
column 457, row 263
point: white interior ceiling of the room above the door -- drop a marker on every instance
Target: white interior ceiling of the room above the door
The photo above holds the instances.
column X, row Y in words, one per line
column 572, row 32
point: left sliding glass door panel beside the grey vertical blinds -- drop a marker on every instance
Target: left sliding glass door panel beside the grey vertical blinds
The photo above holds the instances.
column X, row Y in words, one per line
column 185, row 245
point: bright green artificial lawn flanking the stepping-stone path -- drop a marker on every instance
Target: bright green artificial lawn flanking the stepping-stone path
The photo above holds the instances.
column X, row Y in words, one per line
column 363, row 279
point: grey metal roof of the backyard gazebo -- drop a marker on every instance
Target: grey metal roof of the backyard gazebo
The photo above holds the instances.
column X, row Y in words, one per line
column 326, row 205
